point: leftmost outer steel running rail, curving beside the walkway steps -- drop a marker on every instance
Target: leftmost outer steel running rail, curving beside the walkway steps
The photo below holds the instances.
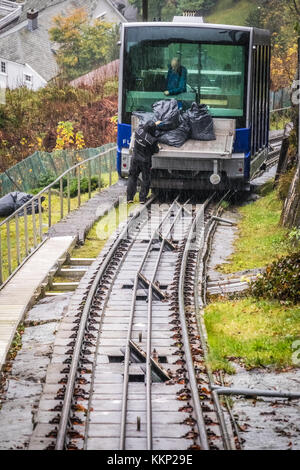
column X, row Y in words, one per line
column 67, row 404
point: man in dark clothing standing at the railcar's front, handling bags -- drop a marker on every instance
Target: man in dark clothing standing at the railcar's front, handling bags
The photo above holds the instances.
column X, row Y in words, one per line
column 145, row 146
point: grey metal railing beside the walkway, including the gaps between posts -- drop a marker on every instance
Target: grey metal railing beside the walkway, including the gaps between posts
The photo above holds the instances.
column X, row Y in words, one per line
column 25, row 230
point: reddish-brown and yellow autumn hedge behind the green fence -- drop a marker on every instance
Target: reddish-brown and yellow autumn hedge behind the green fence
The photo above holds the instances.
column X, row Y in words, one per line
column 58, row 116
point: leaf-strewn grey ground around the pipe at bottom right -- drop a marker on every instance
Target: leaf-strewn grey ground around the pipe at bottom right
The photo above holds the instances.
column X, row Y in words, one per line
column 267, row 423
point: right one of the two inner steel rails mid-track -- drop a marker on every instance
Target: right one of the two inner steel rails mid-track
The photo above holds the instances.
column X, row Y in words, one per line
column 149, row 334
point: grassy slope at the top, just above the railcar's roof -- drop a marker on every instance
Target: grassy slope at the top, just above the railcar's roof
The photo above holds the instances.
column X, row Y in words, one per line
column 231, row 12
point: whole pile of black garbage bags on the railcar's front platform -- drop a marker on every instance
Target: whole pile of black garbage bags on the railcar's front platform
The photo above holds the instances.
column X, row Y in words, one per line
column 176, row 127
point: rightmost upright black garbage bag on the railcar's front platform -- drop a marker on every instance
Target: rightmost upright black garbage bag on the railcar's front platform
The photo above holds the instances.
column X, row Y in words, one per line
column 201, row 122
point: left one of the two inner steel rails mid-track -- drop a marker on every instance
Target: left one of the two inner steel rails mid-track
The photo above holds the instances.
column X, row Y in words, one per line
column 127, row 349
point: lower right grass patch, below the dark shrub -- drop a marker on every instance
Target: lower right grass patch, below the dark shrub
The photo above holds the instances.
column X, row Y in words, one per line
column 254, row 333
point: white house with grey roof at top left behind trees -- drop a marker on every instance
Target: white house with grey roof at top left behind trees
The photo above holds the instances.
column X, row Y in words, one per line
column 27, row 56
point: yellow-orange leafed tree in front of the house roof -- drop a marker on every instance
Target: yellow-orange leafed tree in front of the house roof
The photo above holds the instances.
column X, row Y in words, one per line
column 82, row 46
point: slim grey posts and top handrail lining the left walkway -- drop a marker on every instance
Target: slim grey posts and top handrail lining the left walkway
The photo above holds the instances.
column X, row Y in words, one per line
column 37, row 222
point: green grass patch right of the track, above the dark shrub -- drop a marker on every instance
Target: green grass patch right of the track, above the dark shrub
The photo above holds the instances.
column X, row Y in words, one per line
column 260, row 238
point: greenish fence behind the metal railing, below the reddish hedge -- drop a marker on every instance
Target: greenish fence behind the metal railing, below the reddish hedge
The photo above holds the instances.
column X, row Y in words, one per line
column 26, row 175
